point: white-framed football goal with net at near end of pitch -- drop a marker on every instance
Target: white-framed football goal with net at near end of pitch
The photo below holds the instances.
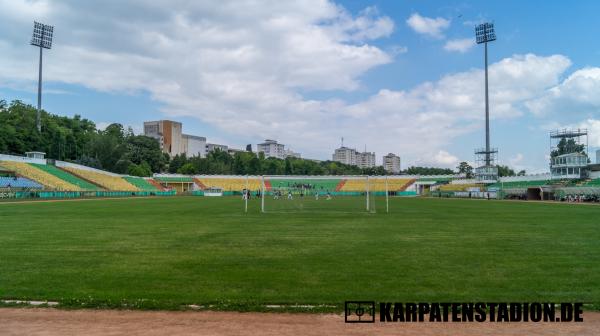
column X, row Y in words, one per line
column 323, row 194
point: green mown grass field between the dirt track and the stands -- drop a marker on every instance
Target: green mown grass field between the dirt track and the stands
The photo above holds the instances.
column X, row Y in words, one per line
column 163, row 253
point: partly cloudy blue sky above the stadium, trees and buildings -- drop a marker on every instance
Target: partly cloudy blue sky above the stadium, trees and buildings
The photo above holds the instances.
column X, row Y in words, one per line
column 392, row 76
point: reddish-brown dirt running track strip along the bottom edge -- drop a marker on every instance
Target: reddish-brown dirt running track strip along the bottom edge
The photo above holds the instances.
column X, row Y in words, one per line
column 45, row 321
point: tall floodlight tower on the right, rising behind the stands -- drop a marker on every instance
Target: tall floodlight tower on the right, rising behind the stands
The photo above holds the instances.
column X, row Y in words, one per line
column 484, row 33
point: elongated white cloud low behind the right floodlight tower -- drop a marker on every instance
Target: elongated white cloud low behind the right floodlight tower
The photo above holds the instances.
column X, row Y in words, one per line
column 420, row 122
